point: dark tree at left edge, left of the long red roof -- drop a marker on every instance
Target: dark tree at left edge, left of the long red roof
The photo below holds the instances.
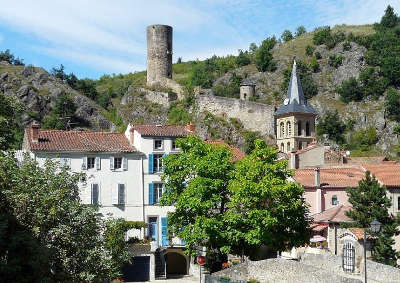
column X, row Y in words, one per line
column 10, row 130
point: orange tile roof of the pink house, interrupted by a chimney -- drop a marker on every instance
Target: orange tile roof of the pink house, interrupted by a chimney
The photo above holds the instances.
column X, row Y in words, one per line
column 331, row 177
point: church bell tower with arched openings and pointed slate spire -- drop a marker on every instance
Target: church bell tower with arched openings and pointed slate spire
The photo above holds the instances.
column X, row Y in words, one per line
column 295, row 119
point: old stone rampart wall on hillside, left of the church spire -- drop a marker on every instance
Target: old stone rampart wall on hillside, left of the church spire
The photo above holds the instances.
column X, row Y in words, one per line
column 254, row 116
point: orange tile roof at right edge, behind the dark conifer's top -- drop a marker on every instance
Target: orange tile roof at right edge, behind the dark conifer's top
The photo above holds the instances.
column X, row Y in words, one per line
column 388, row 174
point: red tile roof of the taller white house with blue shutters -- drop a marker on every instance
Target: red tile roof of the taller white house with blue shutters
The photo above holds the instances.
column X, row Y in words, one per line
column 161, row 130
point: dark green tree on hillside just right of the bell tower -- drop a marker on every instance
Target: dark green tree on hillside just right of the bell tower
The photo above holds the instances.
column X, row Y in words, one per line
column 331, row 125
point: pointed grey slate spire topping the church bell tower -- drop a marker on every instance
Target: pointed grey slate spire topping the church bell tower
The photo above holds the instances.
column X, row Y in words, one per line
column 295, row 101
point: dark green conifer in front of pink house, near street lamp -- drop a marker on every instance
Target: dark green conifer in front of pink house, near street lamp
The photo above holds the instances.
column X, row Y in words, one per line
column 370, row 201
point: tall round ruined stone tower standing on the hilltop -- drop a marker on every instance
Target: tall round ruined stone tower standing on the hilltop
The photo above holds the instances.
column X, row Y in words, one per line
column 159, row 53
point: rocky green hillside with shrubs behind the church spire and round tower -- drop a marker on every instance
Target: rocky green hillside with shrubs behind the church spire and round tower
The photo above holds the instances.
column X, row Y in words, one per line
column 349, row 73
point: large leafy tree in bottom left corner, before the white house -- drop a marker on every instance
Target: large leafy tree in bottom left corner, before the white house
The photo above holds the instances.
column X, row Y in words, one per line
column 44, row 202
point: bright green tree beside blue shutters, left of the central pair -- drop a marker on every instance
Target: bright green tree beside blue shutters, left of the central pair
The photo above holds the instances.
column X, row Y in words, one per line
column 196, row 183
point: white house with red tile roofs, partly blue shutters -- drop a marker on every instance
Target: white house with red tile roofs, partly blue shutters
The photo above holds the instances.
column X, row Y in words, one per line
column 123, row 177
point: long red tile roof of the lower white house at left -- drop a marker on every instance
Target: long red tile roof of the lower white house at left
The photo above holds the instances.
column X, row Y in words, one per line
column 79, row 141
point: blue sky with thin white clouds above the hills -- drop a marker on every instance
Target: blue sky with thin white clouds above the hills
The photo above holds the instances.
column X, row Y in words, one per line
column 95, row 37
